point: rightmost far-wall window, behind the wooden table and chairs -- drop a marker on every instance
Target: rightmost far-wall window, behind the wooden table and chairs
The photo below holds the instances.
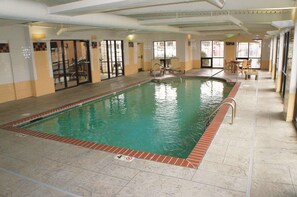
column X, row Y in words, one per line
column 250, row 50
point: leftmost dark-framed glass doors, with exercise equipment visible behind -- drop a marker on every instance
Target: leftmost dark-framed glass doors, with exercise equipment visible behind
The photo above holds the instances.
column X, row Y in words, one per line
column 70, row 63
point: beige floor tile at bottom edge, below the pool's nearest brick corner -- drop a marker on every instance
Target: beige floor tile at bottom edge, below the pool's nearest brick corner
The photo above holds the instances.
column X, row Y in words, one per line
column 148, row 184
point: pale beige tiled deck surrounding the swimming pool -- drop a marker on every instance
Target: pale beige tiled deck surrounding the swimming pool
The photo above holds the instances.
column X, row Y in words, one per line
column 256, row 156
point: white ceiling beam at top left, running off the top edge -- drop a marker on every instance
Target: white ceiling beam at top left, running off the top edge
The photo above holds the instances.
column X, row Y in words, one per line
column 80, row 5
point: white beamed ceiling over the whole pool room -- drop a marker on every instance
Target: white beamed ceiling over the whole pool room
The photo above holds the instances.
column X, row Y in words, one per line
column 198, row 16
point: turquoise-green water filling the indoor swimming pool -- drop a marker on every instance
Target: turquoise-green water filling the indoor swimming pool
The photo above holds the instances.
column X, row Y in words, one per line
column 166, row 118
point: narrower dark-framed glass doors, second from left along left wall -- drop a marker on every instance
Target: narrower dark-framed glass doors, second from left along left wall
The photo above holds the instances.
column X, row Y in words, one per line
column 112, row 59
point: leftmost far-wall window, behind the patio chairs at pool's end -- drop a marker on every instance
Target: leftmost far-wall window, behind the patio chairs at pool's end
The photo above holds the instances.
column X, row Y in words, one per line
column 164, row 50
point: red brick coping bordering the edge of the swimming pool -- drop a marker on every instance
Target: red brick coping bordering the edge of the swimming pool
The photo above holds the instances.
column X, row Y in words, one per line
column 192, row 161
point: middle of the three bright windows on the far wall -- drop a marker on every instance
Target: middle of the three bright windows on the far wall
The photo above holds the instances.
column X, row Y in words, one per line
column 212, row 54
